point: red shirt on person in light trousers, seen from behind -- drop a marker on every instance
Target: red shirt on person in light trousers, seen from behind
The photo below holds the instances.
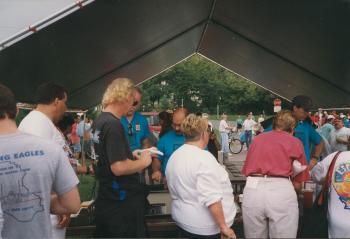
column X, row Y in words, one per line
column 273, row 153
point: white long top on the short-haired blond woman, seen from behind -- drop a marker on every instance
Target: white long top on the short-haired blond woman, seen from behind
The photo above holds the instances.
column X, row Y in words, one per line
column 195, row 181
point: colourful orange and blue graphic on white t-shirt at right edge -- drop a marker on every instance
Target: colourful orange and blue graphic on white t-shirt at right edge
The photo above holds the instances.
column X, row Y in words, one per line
column 341, row 183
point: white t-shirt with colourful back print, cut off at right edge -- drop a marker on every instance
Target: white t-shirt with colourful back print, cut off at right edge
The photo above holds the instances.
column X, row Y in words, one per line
column 339, row 199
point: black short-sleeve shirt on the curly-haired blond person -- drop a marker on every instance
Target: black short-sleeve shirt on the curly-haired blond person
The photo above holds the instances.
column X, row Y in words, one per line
column 111, row 146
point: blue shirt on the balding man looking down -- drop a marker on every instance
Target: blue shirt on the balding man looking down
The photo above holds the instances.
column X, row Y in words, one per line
column 167, row 144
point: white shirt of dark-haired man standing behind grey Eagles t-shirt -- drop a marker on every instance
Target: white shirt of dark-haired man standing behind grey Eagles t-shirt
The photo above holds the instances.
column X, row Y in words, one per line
column 37, row 123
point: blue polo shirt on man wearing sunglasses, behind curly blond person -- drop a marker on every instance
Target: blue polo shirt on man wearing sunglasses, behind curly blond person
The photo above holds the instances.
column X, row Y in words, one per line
column 138, row 132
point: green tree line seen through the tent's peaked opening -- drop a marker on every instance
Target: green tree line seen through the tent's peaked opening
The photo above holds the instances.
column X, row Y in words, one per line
column 201, row 86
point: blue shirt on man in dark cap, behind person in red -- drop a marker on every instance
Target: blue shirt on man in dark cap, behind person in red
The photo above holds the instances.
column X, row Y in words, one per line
column 308, row 136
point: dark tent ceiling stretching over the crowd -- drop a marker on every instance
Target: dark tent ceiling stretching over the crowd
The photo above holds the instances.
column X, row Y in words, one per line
column 289, row 47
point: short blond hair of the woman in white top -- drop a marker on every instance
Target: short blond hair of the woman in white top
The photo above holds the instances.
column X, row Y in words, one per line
column 193, row 126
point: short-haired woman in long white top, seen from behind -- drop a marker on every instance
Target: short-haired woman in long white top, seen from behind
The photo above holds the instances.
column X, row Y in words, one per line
column 200, row 188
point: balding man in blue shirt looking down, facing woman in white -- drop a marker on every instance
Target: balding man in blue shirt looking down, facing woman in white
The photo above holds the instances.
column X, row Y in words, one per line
column 168, row 143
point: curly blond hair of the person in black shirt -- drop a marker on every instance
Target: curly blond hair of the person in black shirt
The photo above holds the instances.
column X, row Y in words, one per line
column 119, row 90
